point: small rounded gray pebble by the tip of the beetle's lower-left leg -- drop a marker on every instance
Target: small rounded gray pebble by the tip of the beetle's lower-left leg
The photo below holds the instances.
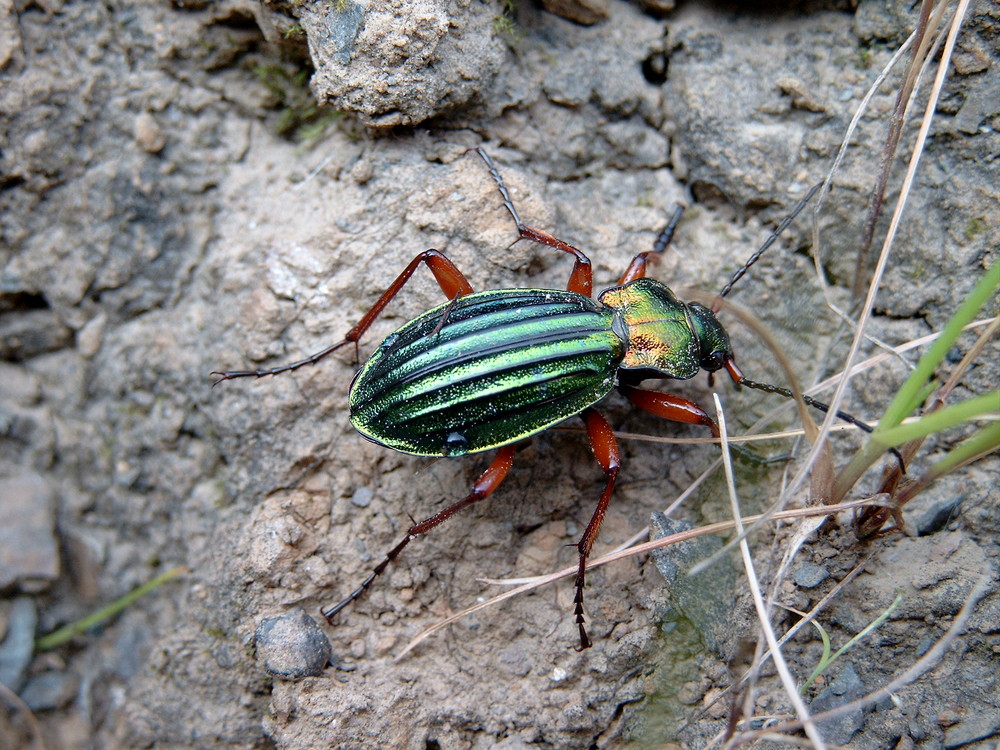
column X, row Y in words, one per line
column 292, row 646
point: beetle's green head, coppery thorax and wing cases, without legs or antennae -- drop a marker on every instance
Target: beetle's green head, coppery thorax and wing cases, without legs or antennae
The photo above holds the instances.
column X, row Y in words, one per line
column 508, row 363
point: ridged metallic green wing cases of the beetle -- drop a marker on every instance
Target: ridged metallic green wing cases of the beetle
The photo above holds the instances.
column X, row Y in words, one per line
column 504, row 365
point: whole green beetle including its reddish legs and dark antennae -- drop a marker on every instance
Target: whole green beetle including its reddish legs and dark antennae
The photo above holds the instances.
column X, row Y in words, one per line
column 488, row 369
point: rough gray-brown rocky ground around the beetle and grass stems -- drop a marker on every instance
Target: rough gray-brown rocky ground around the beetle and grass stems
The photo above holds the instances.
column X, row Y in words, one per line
column 173, row 201
